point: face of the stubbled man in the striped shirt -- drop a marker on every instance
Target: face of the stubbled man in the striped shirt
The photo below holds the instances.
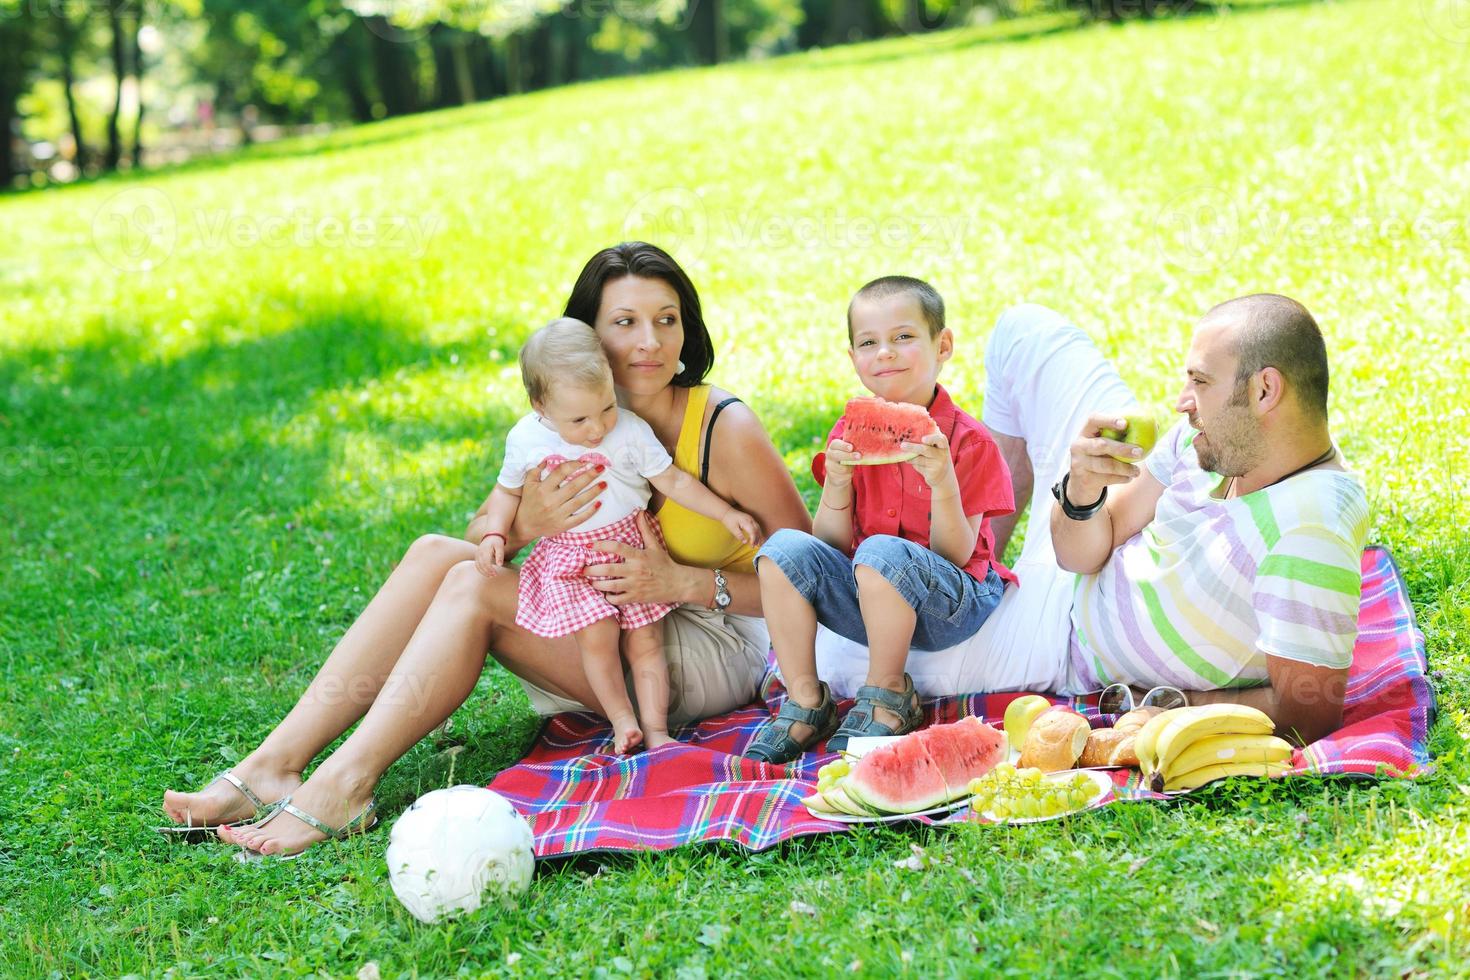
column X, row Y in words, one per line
column 1230, row 436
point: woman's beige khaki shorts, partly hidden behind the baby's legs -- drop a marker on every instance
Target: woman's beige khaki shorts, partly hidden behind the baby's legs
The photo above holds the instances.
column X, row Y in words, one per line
column 715, row 666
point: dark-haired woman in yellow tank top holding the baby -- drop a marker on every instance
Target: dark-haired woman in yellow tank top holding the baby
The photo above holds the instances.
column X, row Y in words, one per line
column 417, row 652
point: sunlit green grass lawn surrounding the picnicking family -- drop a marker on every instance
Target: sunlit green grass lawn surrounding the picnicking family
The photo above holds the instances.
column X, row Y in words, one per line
column 208, row 465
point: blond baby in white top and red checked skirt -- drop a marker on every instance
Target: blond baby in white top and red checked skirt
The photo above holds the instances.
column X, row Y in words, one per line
column 577, row 418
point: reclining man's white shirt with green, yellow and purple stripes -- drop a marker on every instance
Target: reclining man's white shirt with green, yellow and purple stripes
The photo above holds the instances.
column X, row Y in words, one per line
column 1211, row 587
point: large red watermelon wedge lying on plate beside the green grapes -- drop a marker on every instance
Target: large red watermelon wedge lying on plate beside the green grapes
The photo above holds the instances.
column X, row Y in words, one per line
column 925, row 769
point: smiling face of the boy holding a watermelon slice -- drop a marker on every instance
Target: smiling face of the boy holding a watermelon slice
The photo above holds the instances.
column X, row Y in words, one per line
column 893, row 352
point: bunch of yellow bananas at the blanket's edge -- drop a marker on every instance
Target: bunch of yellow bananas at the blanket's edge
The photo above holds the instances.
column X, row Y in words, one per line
column 1186, row 749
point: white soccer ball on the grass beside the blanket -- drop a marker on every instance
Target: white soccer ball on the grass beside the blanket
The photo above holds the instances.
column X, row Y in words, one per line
column 455, row 847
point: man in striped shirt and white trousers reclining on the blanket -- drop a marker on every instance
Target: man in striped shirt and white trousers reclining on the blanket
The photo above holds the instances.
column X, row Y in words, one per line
column 1227, row 563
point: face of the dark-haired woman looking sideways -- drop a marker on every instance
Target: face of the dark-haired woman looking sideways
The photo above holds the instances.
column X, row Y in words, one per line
column 642, row 331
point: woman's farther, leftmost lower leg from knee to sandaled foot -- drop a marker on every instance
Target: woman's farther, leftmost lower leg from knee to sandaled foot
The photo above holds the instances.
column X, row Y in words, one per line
column 343, row 688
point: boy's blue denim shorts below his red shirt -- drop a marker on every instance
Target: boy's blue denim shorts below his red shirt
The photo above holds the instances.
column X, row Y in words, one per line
column 952, row 605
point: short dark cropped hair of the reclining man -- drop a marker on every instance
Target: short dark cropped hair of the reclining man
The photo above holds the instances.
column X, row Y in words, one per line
column 1277, row 331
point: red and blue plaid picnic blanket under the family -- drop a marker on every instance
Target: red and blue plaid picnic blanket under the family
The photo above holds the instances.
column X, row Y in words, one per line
column 583, row 799
